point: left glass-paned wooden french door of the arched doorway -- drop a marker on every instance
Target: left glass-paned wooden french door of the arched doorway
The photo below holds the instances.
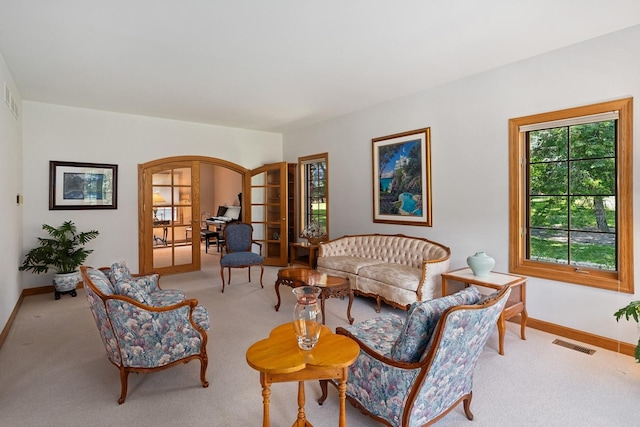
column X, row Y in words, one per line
column 169, row 219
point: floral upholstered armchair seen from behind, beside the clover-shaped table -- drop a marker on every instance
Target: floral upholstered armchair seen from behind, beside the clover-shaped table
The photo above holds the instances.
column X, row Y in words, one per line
column 412, row 371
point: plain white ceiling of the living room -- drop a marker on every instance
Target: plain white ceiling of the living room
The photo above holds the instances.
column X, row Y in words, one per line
column 279, row 64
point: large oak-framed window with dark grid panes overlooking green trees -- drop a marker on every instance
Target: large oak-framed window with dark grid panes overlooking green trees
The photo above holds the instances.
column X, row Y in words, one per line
column 571, row 195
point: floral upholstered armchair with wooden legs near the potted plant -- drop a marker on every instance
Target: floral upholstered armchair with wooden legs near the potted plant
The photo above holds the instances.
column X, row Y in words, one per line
column 143, row 327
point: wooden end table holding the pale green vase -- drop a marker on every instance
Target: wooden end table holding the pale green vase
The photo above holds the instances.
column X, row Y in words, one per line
column 517, row 303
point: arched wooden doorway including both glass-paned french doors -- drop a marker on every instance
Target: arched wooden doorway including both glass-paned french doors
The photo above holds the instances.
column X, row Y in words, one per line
column 172, row 207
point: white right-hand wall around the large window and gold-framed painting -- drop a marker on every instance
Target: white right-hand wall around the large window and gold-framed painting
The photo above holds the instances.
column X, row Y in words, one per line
column 468, row 120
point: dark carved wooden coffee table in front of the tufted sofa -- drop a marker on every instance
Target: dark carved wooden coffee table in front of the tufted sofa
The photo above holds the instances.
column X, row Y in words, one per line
column 331, row 286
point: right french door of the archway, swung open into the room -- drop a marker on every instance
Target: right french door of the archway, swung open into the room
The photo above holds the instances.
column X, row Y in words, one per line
column 267, row 202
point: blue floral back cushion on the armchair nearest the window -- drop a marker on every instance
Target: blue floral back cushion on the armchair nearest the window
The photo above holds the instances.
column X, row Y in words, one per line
column 422, row 318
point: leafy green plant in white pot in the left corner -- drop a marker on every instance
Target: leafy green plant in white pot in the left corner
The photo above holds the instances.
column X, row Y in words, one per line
column 63, row 252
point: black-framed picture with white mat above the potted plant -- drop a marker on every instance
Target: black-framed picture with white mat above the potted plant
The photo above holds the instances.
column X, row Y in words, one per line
column 74, row 185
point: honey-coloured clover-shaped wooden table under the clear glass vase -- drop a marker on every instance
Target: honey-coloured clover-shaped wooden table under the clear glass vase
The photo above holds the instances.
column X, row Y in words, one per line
column 279, row 359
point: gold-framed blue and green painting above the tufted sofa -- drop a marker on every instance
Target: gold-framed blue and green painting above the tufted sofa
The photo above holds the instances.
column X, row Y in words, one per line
column 402, row 178
